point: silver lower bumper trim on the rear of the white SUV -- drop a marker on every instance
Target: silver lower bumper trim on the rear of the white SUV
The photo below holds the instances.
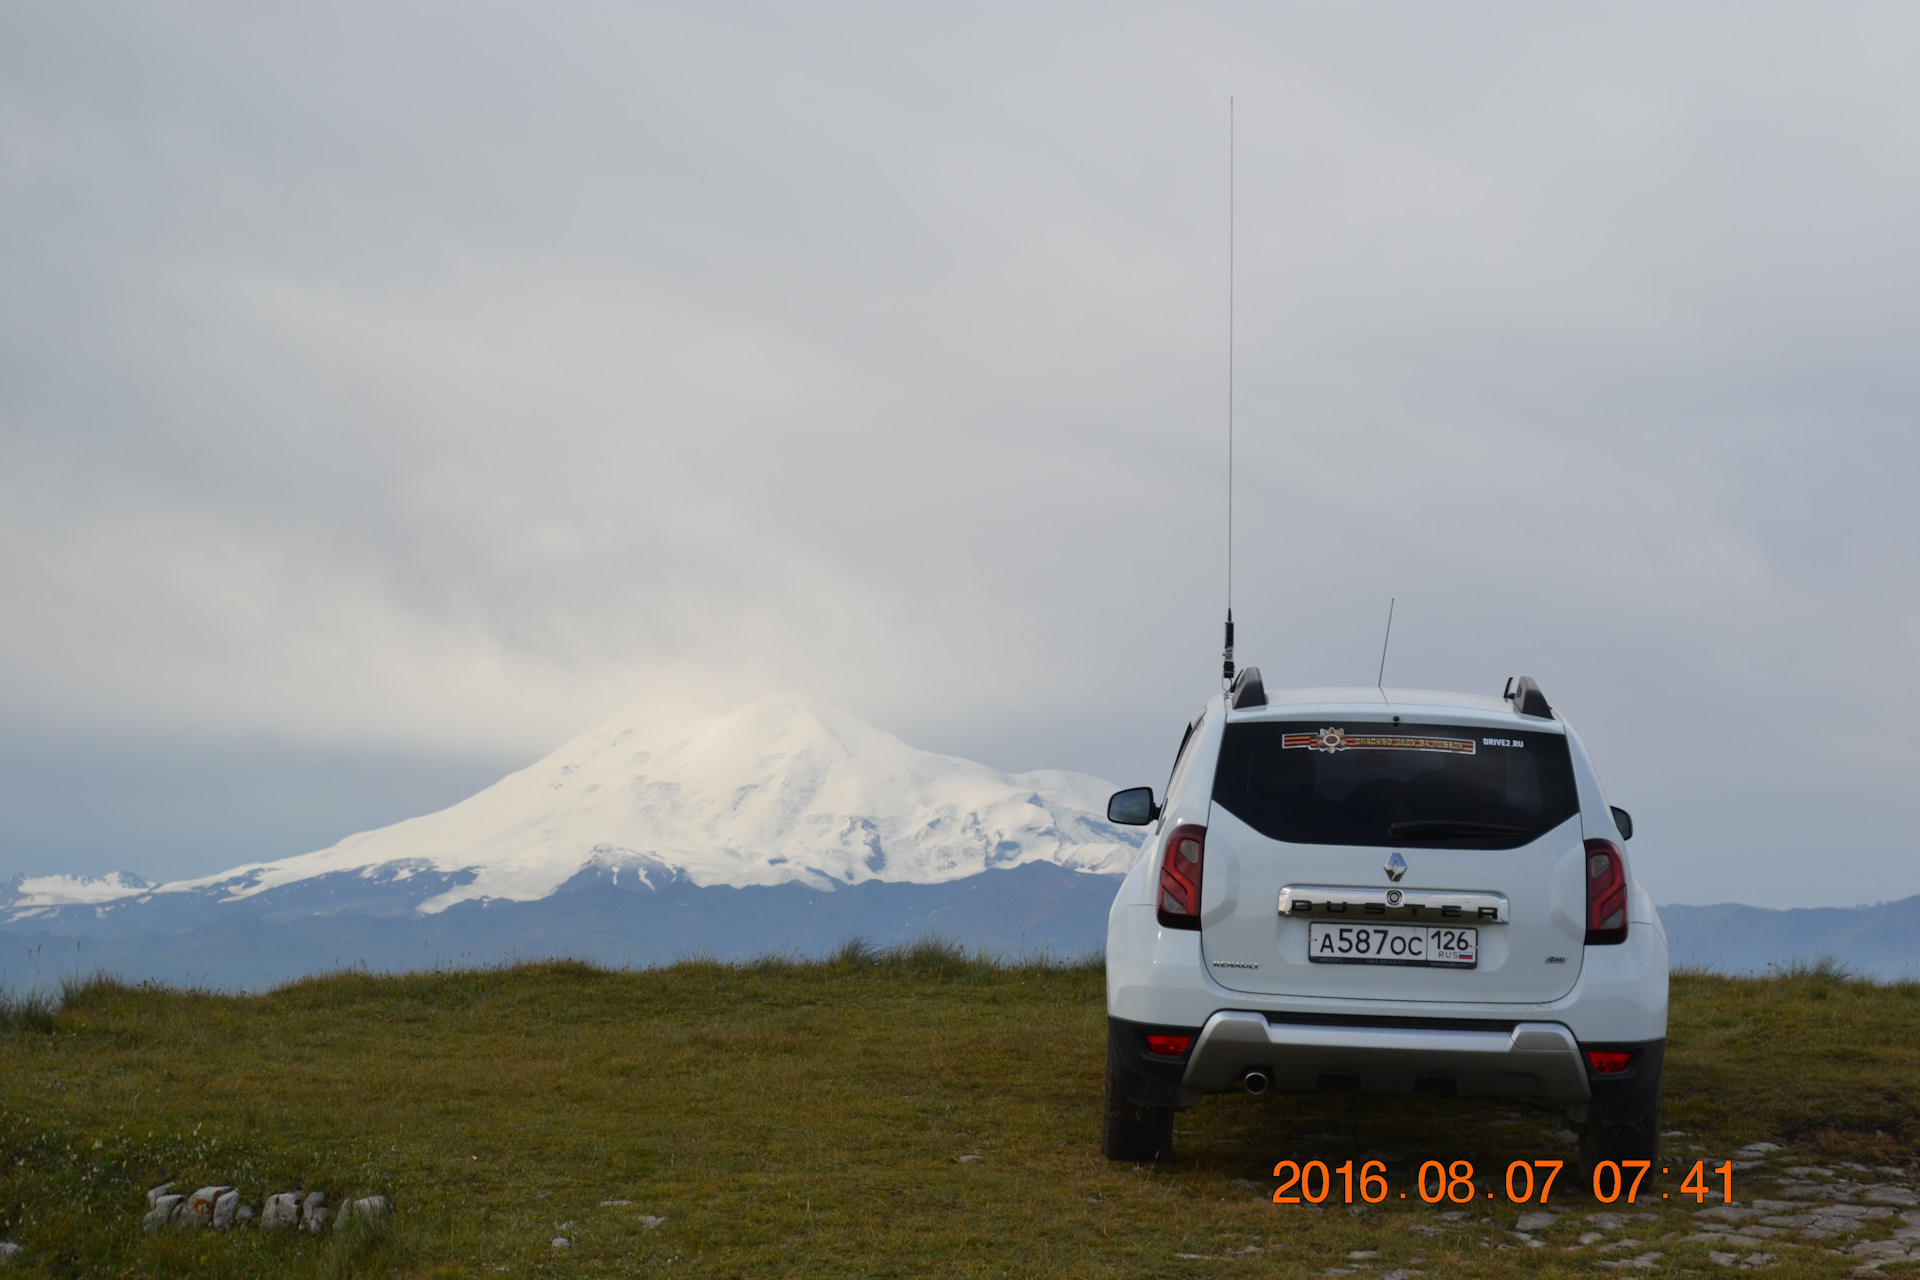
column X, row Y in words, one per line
column 1537, row 1060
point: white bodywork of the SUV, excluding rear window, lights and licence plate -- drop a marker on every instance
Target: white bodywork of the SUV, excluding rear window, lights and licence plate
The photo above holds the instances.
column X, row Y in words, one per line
column 1522, row 1020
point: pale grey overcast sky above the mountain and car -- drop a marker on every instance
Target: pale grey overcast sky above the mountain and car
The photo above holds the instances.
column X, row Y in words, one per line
column 391, row 392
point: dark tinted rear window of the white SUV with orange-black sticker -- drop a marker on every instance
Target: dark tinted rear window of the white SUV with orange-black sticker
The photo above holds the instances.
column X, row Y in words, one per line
column 1424, row 786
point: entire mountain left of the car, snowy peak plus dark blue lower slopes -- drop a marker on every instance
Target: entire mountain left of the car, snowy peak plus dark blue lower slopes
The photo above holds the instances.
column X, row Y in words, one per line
column 782, row 826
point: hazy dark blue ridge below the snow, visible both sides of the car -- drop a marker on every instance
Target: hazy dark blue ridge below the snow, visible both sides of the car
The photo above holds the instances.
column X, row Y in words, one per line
column 625, row 920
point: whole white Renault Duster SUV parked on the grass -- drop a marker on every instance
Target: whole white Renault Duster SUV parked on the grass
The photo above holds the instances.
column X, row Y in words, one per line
column 1383, row 891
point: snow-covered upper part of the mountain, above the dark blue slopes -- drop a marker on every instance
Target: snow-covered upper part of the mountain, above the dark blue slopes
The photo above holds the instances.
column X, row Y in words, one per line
column 779, row 792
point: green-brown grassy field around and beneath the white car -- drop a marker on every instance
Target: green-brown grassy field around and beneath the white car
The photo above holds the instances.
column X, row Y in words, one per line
column 876, row 1116
